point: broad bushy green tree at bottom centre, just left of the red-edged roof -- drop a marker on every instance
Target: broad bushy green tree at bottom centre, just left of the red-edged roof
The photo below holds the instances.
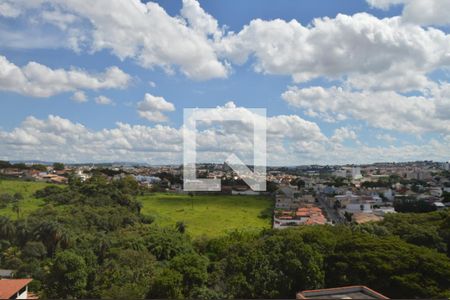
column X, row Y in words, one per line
column 275, row 264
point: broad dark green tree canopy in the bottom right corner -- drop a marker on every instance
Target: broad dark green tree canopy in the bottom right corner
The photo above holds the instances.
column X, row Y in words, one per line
column 389, row 265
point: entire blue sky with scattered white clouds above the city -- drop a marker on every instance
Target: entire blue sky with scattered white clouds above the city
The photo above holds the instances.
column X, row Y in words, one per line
column 370, row 84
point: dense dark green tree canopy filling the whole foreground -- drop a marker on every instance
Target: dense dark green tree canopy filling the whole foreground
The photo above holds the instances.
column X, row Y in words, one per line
column 91, row 241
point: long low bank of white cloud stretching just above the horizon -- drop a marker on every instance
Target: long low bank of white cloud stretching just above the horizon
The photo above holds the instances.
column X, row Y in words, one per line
column 56, row 138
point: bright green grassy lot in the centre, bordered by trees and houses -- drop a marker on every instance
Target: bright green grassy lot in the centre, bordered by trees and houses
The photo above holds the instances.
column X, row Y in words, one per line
column 211, row 215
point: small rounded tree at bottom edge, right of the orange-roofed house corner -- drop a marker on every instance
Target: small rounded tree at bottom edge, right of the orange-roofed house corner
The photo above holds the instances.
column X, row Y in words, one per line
column 68, row 276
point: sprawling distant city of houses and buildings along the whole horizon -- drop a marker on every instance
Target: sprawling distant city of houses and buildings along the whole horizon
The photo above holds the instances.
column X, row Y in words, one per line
column 303, row 195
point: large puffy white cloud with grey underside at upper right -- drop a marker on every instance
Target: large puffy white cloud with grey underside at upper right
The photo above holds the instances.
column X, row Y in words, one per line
column 388, row 52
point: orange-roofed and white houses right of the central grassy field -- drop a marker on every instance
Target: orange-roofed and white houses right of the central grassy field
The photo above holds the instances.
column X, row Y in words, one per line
column 365, row 193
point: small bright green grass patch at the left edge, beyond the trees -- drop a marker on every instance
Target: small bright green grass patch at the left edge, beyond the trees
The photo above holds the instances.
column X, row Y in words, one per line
column 27, row 189
